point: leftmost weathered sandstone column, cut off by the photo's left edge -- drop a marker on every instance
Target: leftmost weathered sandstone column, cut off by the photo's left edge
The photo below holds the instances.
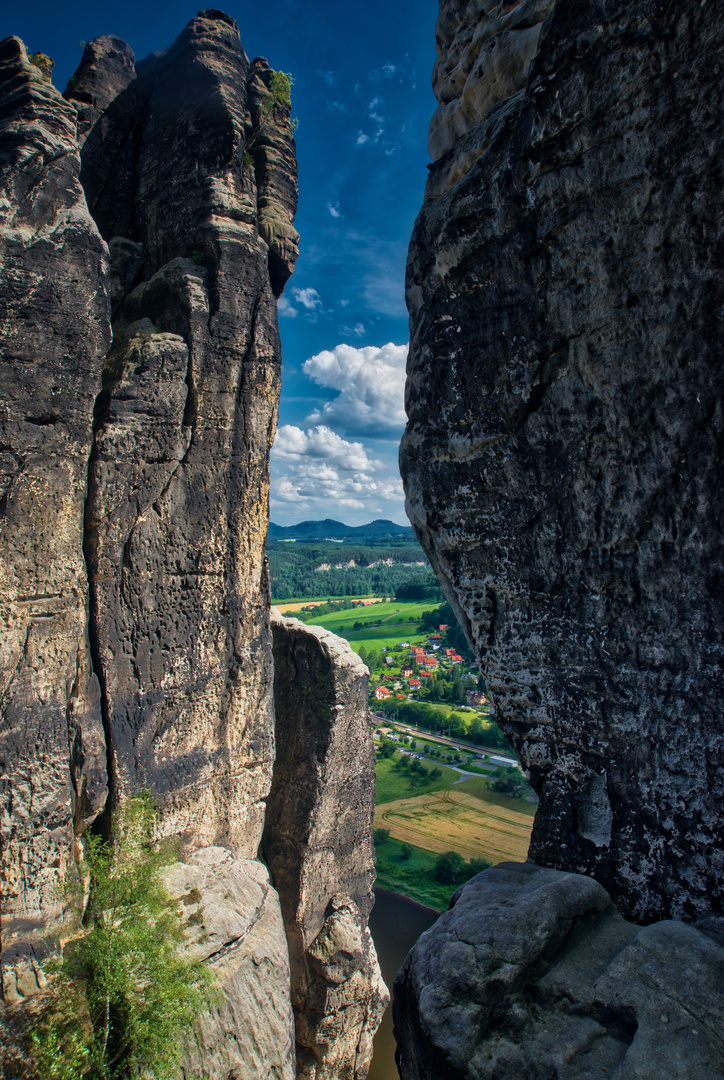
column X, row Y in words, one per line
column 55, row 333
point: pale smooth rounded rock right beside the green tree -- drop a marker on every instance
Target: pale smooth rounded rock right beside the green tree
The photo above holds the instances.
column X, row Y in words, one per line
column 235, row 925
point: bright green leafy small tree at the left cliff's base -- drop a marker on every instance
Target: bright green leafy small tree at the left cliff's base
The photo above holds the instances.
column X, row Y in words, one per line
column 123, row 994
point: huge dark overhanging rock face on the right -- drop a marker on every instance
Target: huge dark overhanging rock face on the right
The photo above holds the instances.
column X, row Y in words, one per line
column 566, row 291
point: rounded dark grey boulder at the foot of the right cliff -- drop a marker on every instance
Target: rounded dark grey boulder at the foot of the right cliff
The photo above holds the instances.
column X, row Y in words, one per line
column 557, row 984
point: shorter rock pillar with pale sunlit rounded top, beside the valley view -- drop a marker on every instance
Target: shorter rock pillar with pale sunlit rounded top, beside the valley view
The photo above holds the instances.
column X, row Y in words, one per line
column 318, row 846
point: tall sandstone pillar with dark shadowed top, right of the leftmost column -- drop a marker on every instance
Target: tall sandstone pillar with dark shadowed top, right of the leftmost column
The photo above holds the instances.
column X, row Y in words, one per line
column 179, row 484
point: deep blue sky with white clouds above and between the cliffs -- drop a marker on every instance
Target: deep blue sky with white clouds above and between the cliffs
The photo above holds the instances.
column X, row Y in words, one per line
column 363, row 97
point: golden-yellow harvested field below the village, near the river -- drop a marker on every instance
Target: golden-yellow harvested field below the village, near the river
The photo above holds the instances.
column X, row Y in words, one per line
column 455, row 820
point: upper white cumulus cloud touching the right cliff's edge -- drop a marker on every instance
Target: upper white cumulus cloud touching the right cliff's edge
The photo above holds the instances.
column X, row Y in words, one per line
column 370, row 382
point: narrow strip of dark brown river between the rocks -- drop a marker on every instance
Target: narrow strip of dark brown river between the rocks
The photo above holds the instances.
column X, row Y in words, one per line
column 396, row 924
